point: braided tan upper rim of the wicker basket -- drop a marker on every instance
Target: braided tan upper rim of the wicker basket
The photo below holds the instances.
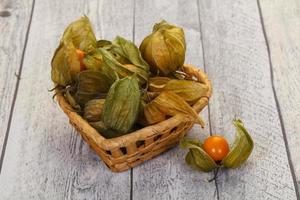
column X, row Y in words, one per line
column 141, row 134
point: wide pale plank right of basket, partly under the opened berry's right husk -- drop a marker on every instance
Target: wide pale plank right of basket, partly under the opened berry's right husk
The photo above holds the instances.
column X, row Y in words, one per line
column 236, row 59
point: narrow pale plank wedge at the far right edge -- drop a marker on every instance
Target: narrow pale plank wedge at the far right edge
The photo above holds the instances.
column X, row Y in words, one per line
column 282, row 25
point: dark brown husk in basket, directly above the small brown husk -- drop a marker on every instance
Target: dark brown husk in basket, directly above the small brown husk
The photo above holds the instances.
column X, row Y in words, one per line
column 92, row 84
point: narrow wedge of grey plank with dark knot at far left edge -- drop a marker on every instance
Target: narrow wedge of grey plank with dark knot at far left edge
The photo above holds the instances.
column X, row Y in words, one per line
column 14, row 21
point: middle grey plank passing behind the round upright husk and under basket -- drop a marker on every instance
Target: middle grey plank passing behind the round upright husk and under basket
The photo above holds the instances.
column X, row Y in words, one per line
column 167, row 176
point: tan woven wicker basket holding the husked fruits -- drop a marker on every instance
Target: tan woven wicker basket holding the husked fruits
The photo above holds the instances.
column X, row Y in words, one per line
column 129, row 150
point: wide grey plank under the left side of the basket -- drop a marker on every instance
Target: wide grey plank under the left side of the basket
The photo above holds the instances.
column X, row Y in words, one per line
column 45, row 158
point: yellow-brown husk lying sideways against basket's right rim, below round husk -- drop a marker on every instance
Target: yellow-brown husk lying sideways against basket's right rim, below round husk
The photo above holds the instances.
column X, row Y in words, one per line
column 190, row 91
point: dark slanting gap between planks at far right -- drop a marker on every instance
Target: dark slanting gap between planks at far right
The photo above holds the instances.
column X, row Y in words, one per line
column 283, row 130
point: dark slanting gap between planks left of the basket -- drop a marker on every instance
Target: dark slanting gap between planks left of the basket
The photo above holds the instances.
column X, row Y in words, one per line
column 16, row 89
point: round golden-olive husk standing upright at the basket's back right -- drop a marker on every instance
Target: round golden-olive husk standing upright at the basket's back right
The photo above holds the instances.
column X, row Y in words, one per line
column 164, row 49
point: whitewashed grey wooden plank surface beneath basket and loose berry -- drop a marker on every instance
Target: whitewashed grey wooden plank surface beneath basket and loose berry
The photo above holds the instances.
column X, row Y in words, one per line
column 251, row 52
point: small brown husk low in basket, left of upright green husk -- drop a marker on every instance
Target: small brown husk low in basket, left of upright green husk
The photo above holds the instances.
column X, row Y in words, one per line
column 93, row 110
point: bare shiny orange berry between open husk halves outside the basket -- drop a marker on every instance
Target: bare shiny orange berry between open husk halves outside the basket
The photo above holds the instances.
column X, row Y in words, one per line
column 216, row 147
